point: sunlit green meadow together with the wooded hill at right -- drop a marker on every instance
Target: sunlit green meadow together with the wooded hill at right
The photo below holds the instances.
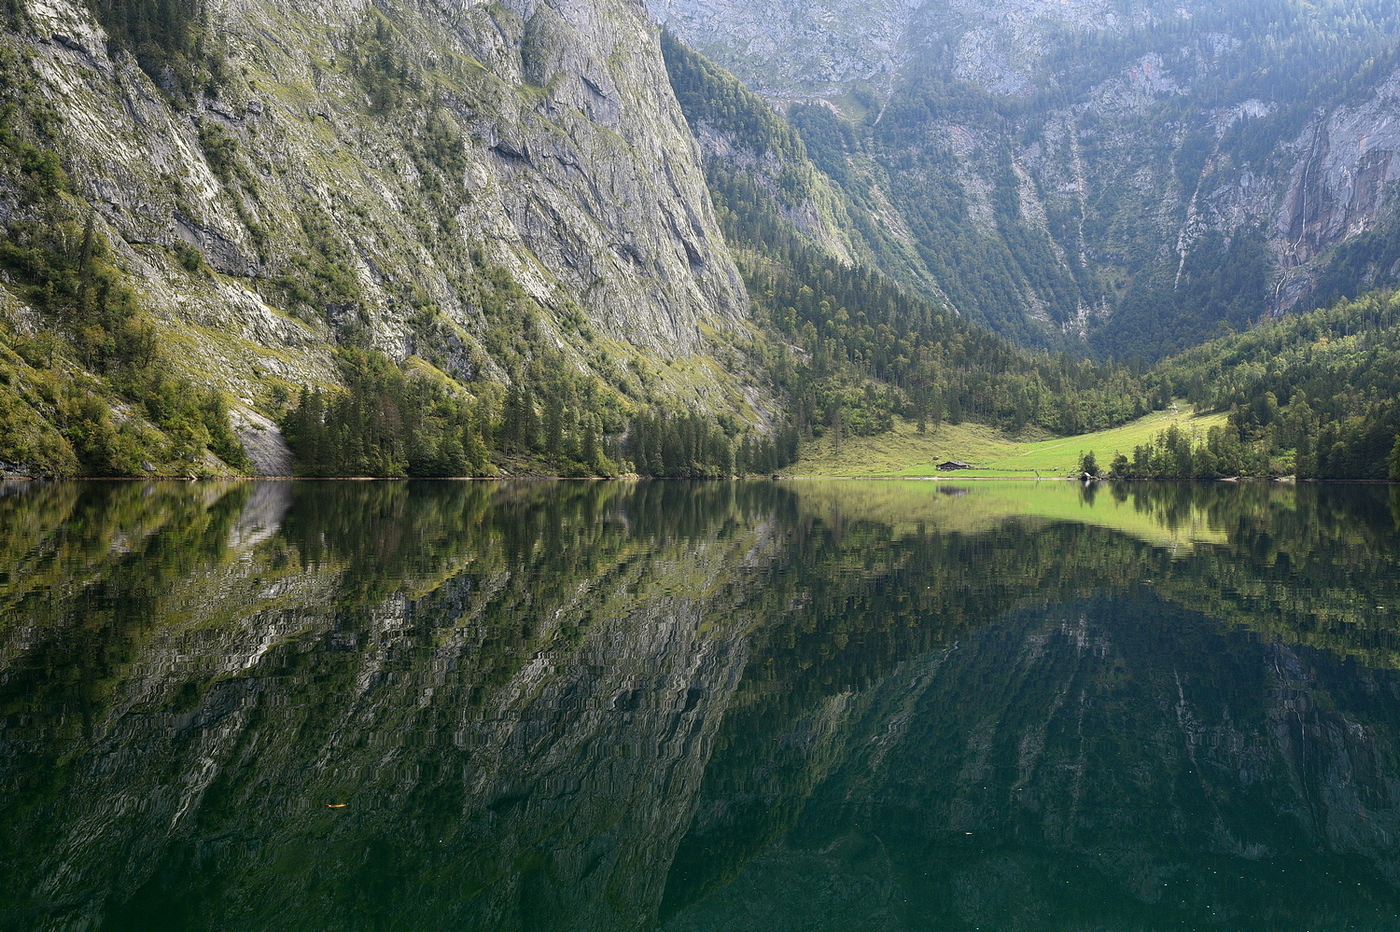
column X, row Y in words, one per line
column 1308, row 395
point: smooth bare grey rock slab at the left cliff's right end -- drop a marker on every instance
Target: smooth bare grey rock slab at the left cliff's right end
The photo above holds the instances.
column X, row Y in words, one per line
column 600, row 180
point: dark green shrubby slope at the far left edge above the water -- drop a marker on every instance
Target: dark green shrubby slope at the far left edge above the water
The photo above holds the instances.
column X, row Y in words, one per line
column 85, row 387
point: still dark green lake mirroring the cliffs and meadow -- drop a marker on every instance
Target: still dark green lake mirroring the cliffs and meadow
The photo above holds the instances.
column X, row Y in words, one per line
column 715, row 706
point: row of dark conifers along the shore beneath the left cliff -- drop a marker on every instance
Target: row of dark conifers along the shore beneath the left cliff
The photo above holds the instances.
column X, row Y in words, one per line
column 391, row 423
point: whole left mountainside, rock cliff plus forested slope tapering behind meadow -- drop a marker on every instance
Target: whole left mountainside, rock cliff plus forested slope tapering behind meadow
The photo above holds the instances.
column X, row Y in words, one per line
column 391, row 243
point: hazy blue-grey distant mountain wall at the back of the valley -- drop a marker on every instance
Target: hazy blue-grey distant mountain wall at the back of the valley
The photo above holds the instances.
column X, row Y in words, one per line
column 1115, row 177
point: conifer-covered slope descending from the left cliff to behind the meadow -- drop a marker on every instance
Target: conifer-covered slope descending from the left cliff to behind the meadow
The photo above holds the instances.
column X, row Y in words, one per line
column 855, row 348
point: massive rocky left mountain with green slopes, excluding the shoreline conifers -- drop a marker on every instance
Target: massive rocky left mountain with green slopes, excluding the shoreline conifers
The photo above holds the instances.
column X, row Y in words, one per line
column 232, row 194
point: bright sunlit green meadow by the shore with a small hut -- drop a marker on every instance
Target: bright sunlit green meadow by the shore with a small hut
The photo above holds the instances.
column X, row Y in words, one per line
column 905, row 453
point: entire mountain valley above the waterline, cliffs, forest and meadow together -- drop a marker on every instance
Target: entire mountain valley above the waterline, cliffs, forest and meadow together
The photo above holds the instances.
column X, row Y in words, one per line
column 407, row 243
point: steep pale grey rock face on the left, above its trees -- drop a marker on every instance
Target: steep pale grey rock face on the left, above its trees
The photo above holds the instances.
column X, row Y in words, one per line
column 398, row 190
